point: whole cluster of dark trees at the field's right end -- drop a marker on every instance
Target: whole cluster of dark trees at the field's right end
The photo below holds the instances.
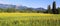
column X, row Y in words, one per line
column 54, row 10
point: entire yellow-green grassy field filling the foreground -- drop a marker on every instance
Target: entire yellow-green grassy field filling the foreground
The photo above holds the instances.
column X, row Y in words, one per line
column 29, row 19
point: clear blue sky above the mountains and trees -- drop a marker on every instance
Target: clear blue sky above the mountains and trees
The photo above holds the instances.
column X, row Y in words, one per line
column 31, row 3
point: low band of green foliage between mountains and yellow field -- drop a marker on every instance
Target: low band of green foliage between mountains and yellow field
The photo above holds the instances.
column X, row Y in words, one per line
column 13, row 10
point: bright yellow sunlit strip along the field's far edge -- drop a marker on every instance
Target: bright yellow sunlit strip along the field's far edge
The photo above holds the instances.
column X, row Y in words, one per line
column 24, row 14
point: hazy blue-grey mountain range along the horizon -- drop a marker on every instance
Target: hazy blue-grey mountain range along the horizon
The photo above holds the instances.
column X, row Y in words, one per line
column 19, row 7
